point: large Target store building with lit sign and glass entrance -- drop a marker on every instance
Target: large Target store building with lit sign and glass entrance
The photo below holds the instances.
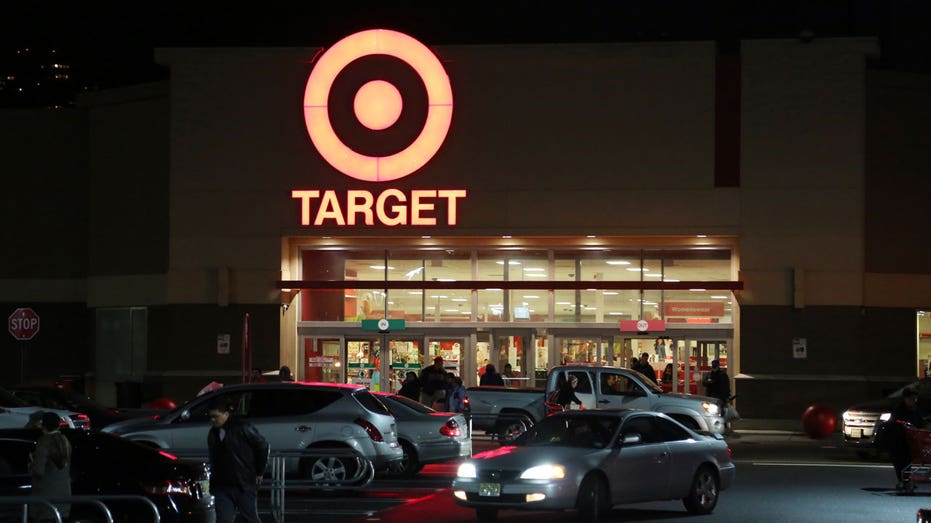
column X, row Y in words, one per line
column 527, row 205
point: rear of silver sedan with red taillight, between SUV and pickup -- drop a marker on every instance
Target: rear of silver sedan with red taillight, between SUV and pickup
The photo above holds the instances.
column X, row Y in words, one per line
column 427, row 436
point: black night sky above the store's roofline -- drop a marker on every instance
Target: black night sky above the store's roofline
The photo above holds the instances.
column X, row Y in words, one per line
column 111, row 45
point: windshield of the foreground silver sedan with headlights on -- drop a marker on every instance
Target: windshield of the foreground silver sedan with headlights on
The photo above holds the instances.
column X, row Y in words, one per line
column 589, row 431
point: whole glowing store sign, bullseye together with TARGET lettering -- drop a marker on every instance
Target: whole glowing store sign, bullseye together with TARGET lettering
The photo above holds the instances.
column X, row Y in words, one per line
column 378, row 106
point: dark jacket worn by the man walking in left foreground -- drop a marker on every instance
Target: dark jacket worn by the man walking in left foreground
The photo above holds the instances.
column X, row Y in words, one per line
column 240, row 458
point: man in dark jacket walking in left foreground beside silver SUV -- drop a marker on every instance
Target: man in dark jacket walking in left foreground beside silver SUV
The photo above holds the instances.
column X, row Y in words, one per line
column 238, row 455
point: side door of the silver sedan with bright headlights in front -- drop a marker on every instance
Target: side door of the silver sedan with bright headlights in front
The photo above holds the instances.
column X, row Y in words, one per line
column 641, row 470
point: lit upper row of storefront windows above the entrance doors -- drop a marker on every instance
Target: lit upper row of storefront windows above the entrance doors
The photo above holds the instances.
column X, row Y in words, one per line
column 590, row 305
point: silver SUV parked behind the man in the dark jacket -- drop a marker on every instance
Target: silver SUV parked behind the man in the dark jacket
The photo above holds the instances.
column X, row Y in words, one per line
column 291, row 416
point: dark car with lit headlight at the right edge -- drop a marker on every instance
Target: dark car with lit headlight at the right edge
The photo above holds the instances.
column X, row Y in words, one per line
column 862, row 420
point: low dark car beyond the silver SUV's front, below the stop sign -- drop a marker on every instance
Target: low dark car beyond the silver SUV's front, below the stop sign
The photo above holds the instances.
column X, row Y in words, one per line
column 51, row 397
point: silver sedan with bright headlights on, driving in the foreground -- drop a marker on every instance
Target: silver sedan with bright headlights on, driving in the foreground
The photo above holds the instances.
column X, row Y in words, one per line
column 592, row 460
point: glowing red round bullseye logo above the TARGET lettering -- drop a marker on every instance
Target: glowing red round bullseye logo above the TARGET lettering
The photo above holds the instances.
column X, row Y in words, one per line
column 377, row 104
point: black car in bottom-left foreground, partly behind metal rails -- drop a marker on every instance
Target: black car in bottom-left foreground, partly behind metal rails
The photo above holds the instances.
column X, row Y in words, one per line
column 103, row 464
